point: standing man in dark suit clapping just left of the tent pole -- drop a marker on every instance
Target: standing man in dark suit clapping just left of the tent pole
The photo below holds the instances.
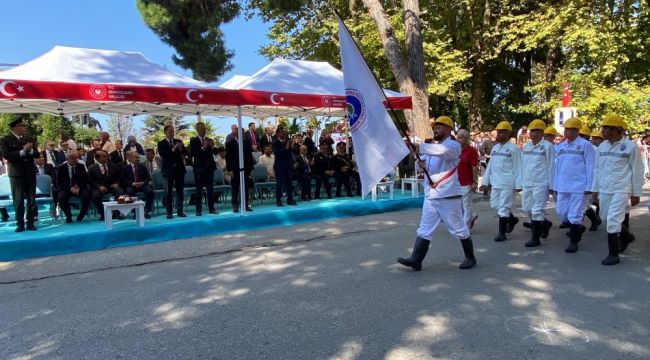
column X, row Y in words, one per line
column 203, row 153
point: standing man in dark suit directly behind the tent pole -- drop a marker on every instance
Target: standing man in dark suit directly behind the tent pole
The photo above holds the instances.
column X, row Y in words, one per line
column 232, row 165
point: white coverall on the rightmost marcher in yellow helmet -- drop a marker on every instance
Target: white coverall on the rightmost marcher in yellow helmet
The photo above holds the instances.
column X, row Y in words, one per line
column 618, row 175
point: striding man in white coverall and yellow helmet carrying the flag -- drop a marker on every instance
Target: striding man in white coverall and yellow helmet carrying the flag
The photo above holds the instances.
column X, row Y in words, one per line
column 443, row 199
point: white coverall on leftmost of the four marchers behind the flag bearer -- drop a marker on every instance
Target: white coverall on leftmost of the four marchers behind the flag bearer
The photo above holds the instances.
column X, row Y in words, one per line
column 504, row 174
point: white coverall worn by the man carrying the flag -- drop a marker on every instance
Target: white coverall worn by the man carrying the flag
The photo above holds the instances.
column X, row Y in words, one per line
column 442, row 203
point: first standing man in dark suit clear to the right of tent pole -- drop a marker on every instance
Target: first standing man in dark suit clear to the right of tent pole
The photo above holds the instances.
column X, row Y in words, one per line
column 283, row 167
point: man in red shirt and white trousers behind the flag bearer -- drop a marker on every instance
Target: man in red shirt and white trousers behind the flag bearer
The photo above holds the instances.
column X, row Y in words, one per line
column 467, row 175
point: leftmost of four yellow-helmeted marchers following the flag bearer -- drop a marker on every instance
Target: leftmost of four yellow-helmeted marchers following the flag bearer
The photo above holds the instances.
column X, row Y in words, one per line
column 503, row 174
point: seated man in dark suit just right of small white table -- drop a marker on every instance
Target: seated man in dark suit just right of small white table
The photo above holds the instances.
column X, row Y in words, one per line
column 136, row 179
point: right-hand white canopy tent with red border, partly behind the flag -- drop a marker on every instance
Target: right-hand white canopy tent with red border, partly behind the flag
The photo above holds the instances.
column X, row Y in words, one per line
column 298, row 88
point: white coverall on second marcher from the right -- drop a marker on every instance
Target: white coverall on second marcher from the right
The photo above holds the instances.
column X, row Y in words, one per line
column 573, row 176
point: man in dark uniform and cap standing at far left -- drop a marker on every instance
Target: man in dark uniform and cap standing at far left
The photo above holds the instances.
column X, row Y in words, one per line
column 20, row 152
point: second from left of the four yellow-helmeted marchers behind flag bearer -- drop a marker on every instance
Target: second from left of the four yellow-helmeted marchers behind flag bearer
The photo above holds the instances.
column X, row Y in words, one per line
column 537, row 159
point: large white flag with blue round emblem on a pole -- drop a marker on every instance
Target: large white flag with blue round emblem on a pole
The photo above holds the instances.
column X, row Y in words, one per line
column 378, row 146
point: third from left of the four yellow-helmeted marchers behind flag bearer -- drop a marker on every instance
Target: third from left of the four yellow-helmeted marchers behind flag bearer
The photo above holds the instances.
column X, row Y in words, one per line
column 573, row 178
